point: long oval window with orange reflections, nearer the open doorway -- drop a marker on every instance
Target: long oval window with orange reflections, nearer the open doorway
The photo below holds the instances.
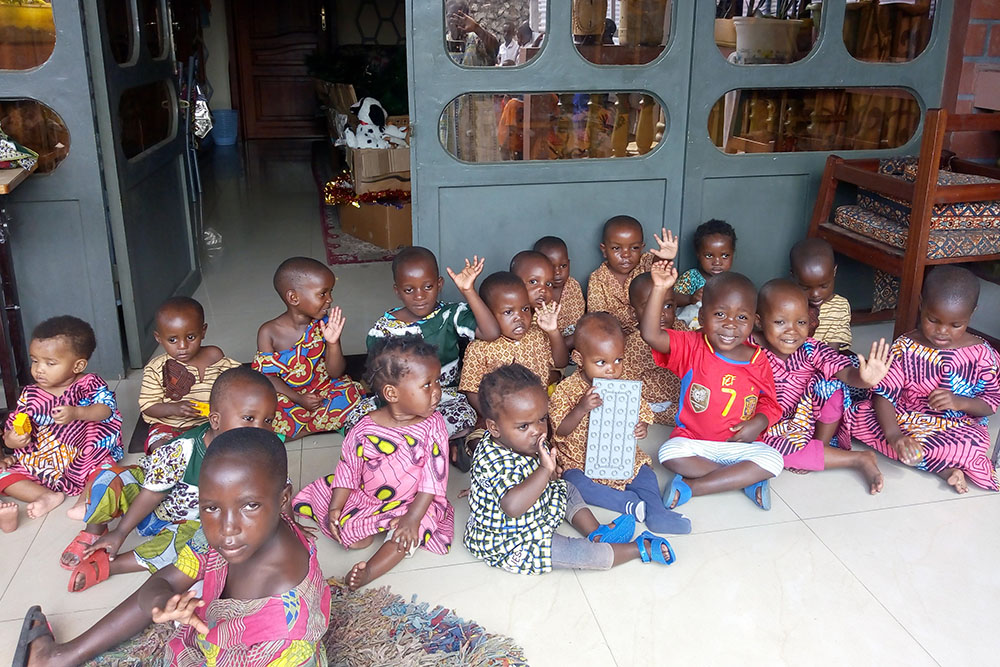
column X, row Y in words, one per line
column 480, row 127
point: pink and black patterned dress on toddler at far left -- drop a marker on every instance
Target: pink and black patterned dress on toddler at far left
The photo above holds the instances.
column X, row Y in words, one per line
column 62, row 456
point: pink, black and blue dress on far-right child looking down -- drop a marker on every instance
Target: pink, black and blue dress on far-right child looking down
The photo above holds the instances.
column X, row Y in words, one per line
column 951, row 439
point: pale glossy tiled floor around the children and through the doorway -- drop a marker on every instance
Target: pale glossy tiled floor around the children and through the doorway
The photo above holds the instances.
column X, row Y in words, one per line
column 830, row 575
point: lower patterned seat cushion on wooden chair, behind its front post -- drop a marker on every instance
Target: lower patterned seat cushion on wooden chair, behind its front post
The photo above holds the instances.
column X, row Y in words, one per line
column 942, row 243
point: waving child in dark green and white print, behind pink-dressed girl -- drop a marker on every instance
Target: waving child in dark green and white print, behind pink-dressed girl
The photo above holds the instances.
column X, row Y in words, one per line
column 417, row 283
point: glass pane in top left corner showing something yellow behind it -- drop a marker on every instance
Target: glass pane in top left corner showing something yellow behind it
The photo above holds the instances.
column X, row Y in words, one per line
column 27, row 33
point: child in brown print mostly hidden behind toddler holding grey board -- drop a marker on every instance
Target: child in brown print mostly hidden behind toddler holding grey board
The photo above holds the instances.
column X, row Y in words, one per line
column 660, row 388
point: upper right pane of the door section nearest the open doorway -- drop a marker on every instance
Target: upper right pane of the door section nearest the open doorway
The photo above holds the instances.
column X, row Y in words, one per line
column 621, row 32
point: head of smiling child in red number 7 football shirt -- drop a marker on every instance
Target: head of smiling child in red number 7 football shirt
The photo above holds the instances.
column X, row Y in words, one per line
column 728, row 310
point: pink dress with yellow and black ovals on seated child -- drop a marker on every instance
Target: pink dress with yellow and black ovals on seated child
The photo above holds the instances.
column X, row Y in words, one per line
column 385, row 468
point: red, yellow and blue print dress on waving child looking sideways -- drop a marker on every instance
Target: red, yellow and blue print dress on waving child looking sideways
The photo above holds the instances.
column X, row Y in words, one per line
column 303, row 369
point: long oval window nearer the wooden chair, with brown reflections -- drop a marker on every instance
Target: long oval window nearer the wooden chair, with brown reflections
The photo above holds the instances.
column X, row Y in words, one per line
column 813, row 119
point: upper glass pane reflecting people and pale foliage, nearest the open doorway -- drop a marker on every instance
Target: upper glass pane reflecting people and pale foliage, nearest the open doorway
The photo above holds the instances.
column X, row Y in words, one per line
column 491, row 34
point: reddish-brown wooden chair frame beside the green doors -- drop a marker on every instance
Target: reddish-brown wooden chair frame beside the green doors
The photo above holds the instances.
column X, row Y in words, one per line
column 911, row 260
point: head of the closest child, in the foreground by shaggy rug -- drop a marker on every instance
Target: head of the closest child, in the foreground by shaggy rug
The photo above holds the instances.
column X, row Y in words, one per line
column 242, row 489
